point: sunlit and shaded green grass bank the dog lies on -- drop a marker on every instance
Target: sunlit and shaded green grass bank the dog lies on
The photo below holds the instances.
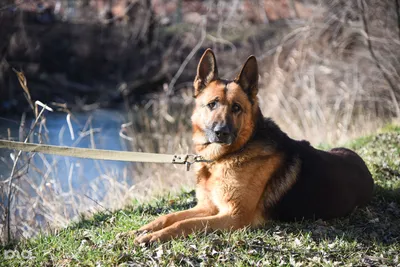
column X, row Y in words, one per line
column 369, row 236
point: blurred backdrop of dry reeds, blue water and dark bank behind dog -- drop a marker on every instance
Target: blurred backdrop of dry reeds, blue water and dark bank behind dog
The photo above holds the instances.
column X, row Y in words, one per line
column 118, row 75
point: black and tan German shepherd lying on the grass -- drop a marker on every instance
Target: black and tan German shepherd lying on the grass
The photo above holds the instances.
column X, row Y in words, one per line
column 257, row 172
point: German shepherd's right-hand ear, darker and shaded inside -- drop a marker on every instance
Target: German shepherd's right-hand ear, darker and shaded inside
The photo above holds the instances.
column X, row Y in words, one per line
column 248, row 77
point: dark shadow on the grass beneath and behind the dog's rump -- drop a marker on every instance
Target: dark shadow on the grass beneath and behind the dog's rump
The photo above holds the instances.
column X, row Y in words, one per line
column 377, row 223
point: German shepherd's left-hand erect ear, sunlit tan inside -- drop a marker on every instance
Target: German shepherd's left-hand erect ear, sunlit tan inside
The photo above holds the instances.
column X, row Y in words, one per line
column 207, row 72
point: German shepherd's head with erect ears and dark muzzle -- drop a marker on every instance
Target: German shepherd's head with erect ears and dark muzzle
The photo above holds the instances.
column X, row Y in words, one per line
column 225, row 113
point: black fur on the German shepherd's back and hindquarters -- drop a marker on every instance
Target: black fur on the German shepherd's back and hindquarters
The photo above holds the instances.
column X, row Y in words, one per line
column 328, row 184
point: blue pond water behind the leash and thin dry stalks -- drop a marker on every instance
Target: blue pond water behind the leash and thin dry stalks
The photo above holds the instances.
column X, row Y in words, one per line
column 106, row 125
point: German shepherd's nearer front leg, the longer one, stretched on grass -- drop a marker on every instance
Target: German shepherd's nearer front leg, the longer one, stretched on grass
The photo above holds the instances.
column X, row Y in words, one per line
column 183, row 228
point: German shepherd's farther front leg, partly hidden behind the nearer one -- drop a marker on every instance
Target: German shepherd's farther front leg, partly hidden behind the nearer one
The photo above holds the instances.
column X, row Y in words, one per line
column 169, row 219
